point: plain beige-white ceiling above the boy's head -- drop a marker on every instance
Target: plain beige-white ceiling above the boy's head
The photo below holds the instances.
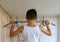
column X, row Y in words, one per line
column 43, row 7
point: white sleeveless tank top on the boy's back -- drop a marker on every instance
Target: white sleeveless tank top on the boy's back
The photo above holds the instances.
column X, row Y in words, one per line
column 31, row 34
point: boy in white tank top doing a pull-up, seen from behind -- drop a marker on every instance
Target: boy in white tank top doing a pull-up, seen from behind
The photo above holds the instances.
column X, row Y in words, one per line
column 30, row 32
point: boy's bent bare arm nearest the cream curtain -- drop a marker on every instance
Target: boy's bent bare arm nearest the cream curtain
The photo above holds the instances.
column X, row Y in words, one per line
column 14, row 33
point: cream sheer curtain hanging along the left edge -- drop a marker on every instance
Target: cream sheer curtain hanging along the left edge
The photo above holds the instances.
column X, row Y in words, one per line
column 4, row 31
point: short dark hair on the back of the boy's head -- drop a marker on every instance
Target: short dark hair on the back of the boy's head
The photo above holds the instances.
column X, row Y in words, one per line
column 31, row 14
